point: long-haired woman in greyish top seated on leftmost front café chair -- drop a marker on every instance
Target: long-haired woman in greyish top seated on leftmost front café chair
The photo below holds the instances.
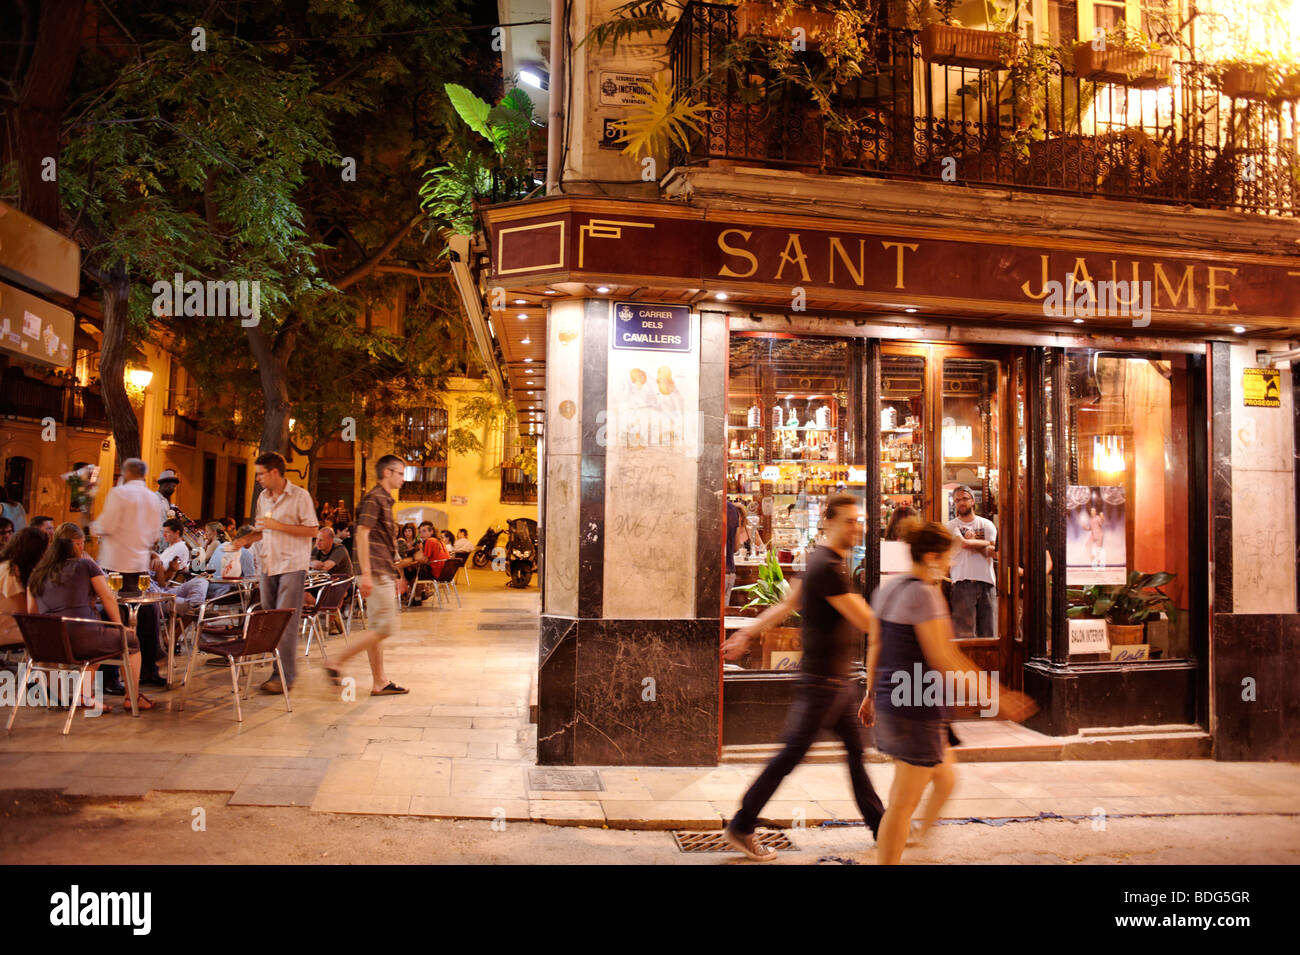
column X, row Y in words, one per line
column 66, row 584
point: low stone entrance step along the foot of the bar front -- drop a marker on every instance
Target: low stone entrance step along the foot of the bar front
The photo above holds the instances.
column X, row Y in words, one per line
column 998, row 741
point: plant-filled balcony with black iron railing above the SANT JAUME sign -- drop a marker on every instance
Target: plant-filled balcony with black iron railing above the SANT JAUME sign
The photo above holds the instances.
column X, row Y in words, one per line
column 1047, row 131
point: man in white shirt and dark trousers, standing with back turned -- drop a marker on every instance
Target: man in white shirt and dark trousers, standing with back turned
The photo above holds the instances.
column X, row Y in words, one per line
column 128, row 529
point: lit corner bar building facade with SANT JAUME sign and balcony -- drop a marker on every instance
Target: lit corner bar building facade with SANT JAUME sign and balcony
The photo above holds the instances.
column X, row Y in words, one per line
column 1068, row 288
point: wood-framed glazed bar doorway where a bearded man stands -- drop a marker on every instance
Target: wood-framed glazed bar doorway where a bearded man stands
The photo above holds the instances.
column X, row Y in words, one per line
column 951, row 420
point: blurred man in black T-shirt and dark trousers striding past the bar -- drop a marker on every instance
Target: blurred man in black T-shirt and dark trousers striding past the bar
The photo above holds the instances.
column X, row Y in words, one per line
column 827, row 694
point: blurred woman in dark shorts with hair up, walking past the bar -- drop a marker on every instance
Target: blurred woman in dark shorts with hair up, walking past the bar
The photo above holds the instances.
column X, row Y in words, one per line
column 911, row 633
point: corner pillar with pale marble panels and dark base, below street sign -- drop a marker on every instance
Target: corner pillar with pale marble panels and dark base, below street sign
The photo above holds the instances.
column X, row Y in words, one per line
column 630, row 670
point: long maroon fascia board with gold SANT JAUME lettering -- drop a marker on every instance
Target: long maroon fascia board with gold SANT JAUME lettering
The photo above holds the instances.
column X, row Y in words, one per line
column 720, row 251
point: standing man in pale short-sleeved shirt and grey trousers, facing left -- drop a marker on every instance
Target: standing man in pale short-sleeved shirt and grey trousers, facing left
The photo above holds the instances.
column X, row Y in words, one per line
column 285, row 526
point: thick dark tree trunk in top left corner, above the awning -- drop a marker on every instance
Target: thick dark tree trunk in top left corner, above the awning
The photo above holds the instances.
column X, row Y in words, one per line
column 41, row 106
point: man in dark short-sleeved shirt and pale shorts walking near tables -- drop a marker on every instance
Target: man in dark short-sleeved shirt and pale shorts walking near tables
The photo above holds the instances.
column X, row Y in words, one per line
column 376, row 555
